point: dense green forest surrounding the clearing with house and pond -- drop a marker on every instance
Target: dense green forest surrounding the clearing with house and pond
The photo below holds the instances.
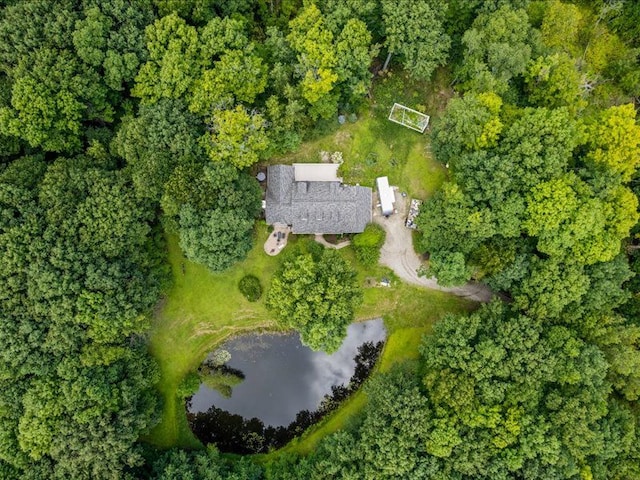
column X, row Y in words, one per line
column 121, row 120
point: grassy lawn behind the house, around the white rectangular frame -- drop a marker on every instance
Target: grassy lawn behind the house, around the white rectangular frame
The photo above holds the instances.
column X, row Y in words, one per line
column 373, row 146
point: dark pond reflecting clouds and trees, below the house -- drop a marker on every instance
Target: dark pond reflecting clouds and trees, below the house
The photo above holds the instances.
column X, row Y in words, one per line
column 281, row 387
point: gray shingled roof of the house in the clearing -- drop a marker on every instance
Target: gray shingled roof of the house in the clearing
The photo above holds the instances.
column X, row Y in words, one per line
column 315, row 207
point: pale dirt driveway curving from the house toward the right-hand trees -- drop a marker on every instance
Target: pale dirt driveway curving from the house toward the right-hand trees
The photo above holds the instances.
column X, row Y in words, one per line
column 397, row 253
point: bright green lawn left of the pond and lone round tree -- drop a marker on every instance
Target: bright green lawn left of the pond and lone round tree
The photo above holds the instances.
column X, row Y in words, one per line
column 201, row 310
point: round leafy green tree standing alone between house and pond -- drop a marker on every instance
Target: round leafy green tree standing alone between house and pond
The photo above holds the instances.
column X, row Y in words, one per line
column 317, row 297
